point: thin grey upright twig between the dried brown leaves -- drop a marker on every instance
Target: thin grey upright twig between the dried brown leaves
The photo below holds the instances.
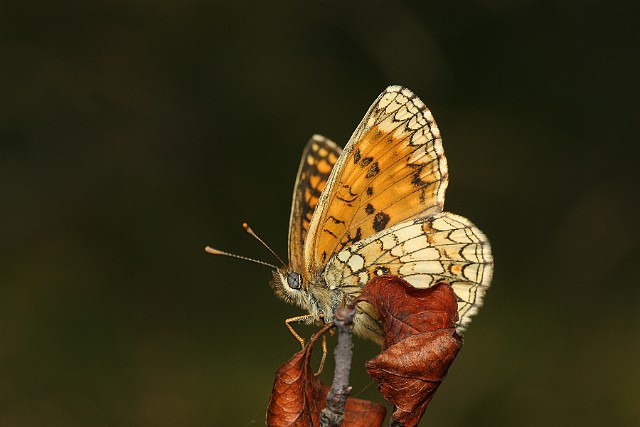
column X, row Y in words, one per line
column 333, row 414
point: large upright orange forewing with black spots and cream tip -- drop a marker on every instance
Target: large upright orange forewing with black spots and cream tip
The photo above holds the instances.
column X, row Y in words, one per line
column 393, row 169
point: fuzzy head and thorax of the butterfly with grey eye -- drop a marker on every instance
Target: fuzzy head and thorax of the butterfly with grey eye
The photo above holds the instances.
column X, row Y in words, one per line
column 312, row 296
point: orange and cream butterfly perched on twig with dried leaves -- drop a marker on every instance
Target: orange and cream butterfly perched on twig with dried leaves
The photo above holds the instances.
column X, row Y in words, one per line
column 374, row 208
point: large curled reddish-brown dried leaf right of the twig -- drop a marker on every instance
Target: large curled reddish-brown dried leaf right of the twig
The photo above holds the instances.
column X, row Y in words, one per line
column 420, row 342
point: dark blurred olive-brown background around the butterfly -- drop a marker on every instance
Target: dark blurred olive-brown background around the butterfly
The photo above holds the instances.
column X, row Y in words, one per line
column 135, row 133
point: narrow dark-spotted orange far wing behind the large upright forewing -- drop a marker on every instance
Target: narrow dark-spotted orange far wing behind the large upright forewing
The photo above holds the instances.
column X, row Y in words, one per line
column 318, row 158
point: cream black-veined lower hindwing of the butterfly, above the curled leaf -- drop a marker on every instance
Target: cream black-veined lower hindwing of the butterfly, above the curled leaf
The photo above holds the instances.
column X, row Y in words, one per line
column 424, row 251
